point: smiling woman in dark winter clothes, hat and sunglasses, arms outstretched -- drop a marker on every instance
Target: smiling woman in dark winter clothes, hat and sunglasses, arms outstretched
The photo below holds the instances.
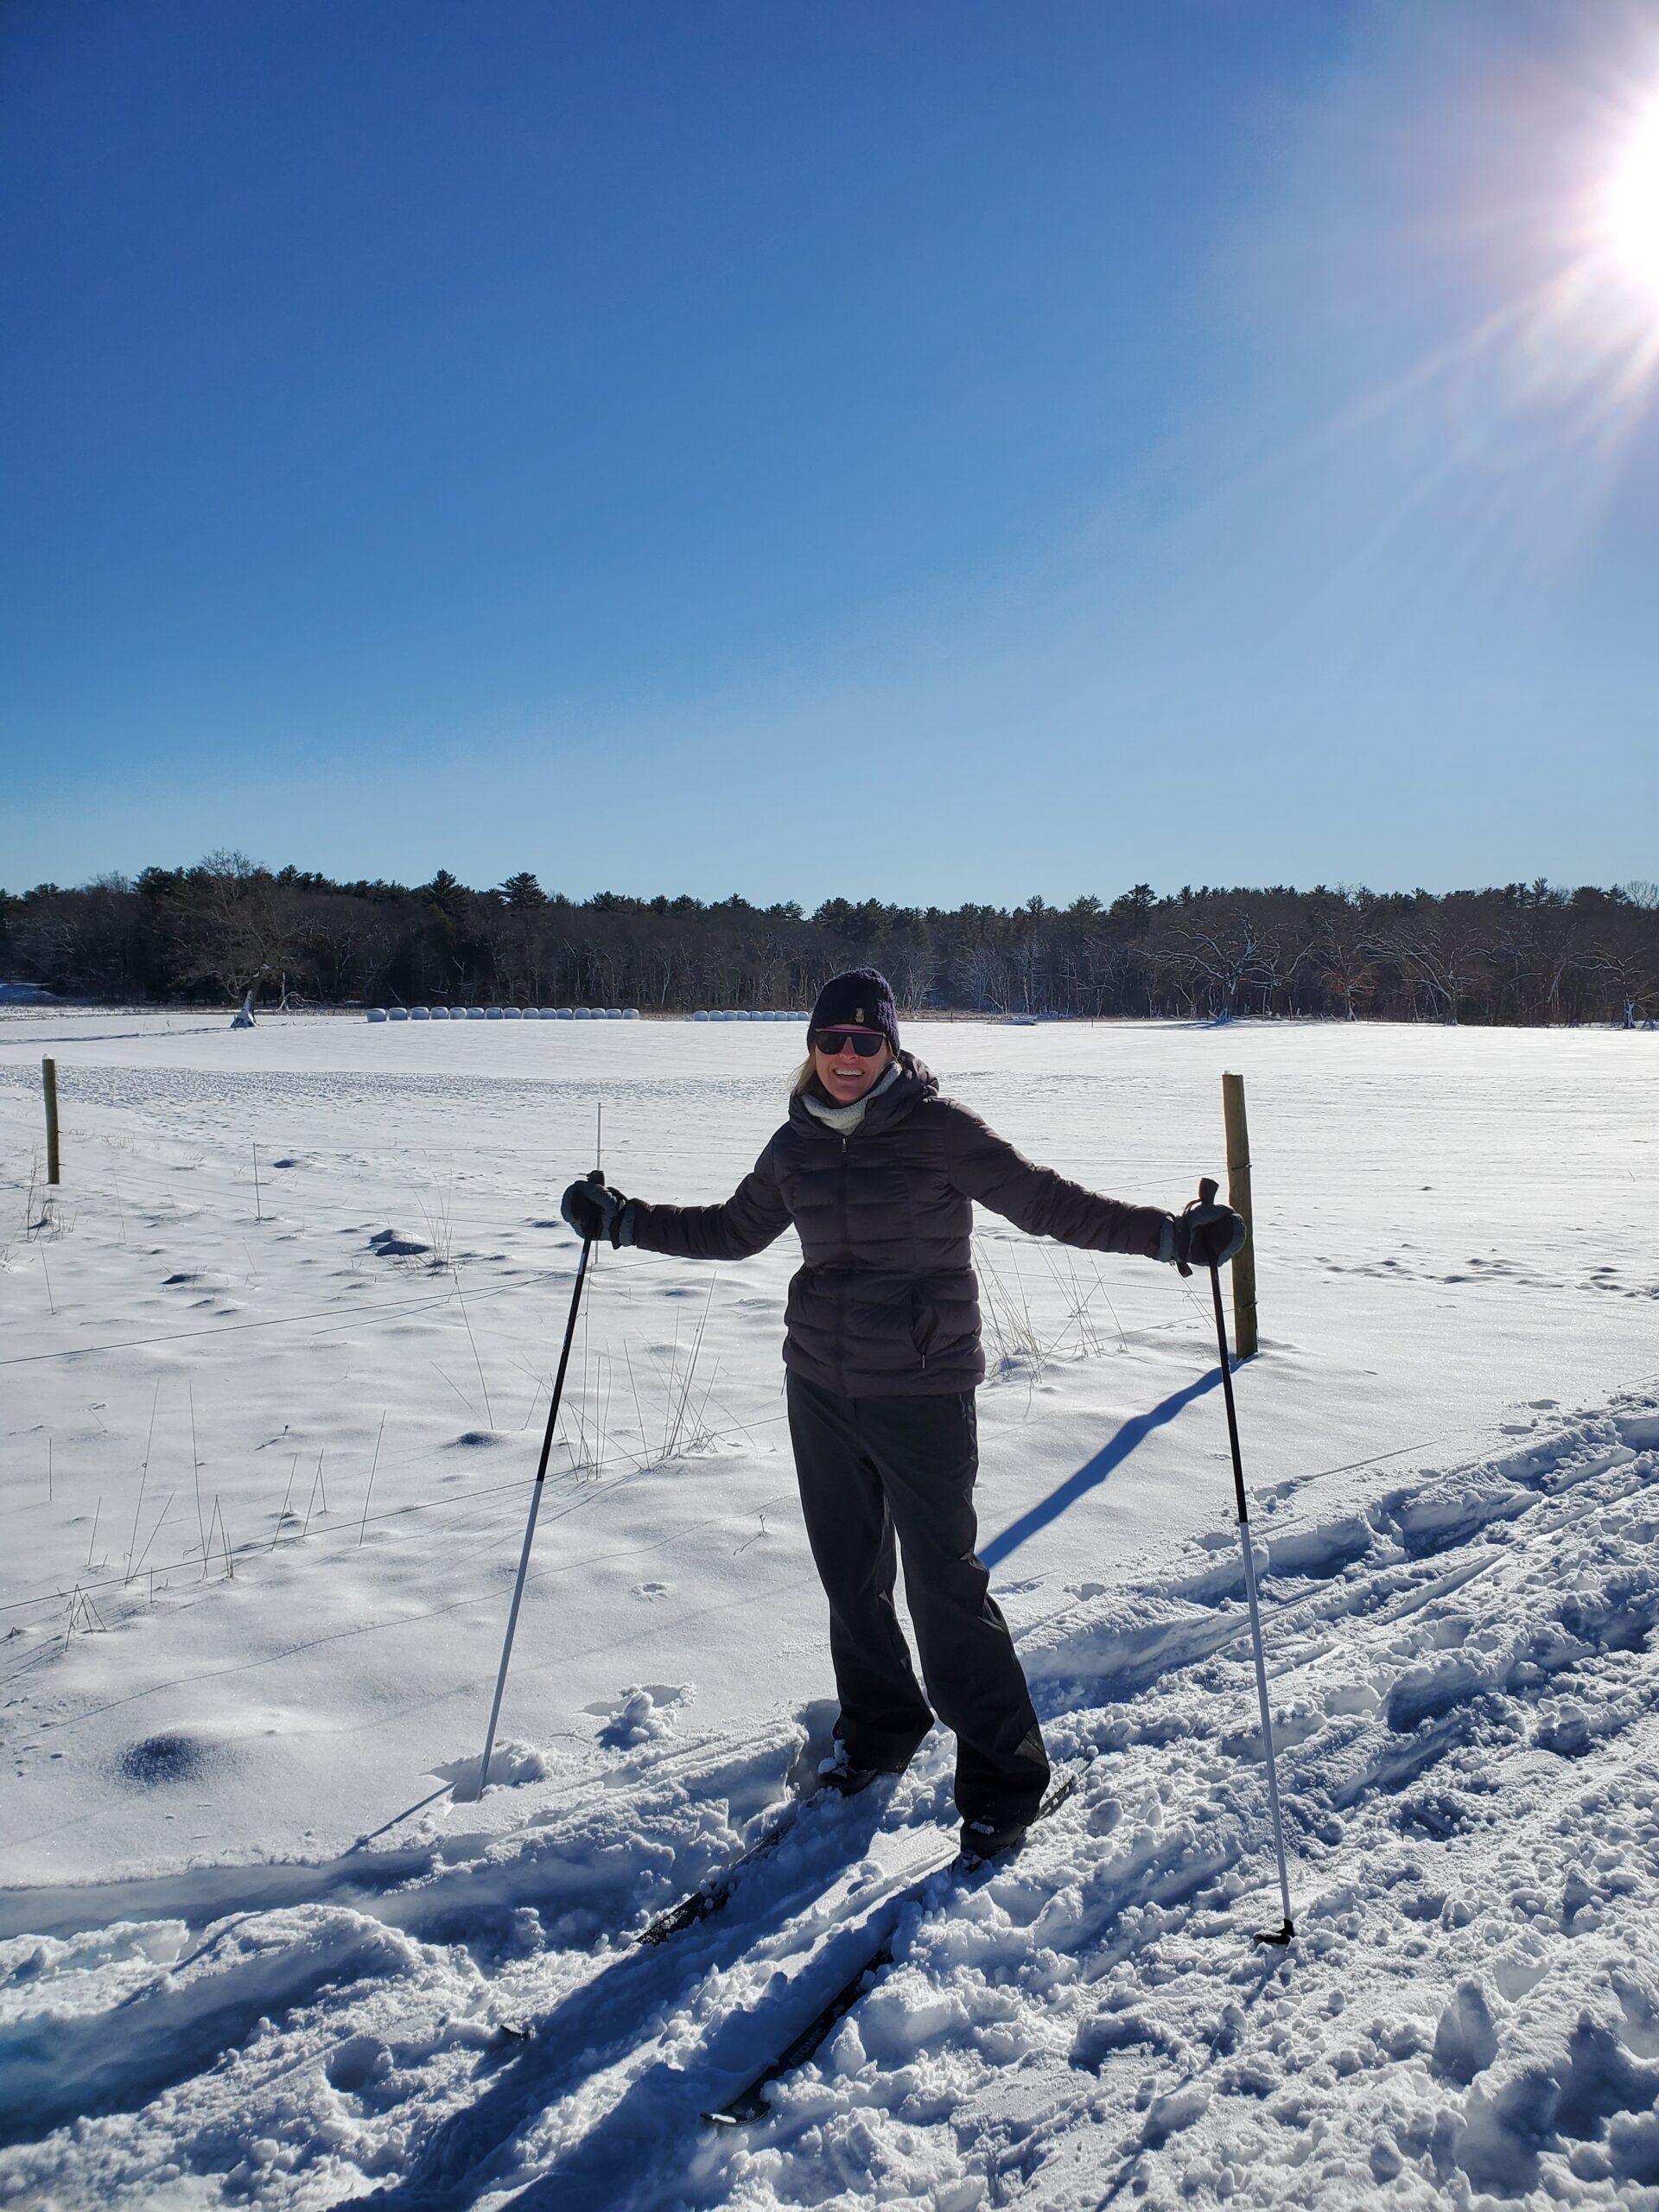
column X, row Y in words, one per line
column 879, row 1176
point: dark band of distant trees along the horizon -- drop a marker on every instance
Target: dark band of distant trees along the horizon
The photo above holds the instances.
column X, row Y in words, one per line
column 1523, row 954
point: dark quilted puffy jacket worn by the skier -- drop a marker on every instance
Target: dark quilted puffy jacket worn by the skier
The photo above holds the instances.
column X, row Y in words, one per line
column 886, row 1302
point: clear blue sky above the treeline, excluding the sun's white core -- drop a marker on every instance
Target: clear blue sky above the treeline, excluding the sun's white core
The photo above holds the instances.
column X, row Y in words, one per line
column 908, row 448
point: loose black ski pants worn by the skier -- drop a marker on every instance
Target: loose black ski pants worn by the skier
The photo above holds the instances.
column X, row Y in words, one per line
column 884, row 1477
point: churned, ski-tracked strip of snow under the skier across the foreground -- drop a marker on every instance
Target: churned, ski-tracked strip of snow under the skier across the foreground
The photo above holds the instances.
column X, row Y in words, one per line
column 1468, row 1722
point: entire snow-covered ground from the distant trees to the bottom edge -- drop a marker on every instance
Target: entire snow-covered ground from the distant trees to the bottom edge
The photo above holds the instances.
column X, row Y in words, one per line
column 267, row 1454
